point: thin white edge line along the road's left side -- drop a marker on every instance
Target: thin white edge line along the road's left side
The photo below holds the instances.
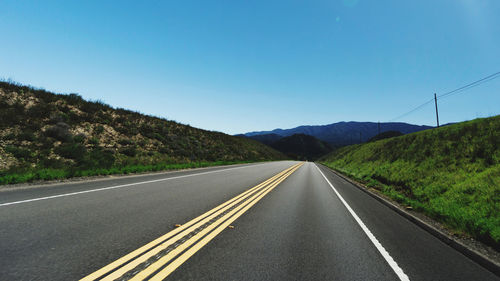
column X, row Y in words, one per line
column 120, row 186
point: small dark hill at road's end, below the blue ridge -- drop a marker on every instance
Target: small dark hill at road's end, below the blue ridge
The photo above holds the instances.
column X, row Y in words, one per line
column 302, row 147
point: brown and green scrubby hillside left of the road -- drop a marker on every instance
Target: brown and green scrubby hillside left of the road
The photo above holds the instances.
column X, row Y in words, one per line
column 45, row 135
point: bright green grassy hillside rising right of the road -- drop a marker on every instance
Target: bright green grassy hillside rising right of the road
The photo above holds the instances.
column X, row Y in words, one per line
column 451, row 173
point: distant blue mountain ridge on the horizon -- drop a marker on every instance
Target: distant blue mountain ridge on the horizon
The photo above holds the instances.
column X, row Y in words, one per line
column 344, row 133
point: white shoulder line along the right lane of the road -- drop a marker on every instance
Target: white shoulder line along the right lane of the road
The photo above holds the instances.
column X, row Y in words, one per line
column 399, row 272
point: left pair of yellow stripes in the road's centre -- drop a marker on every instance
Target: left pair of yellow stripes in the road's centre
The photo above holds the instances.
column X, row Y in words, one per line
column 186, row 228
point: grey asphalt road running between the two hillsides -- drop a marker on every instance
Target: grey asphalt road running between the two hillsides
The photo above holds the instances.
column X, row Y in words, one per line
column 312, row 225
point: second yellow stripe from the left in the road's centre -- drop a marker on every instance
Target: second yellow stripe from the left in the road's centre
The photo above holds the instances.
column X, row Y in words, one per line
column 178, row 236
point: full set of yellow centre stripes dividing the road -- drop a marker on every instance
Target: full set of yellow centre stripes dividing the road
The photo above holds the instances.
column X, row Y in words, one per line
column 159, row 258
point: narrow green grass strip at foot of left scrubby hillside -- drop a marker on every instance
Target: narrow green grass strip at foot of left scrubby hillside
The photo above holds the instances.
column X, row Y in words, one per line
column 55, row 174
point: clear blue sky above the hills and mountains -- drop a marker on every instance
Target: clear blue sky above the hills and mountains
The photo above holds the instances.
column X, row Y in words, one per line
column 238, row 66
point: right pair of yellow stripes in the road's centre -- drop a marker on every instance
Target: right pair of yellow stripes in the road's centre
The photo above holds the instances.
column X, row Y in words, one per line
column 229, row 217
